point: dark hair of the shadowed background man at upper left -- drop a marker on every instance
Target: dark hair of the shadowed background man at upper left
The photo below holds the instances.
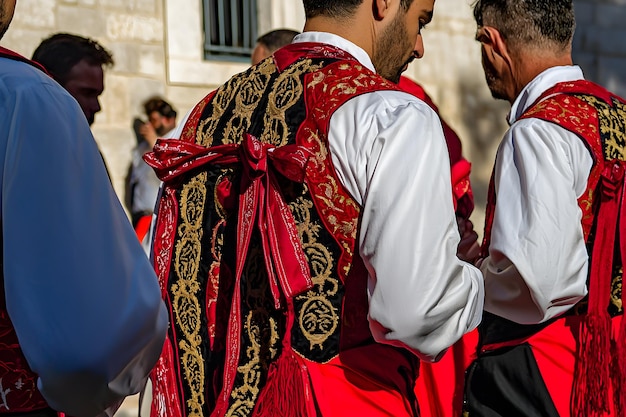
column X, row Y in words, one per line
column 61, row 51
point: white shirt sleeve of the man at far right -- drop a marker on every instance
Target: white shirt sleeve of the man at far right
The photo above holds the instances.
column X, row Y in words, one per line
column 537, row 268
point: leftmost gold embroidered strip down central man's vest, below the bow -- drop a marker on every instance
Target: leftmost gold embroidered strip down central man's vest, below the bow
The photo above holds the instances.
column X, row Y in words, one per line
column 186, row 306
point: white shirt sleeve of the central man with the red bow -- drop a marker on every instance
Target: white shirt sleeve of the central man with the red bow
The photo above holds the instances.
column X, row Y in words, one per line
column 390, row 153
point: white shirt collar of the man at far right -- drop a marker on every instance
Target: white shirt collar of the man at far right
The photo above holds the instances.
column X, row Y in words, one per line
column 539, row 85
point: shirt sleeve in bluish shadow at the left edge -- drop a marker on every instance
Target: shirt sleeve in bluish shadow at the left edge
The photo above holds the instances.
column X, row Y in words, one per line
column 81, row 294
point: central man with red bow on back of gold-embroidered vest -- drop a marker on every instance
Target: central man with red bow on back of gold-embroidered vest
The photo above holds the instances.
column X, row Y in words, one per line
column 306, row 220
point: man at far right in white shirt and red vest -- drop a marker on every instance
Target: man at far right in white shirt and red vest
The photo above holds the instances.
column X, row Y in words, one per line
column 552, row 339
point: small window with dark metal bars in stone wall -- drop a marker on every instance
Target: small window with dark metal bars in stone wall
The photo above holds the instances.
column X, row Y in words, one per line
column 230, row 29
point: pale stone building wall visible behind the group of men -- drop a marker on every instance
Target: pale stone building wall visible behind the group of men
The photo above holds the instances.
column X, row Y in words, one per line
column 157, row 46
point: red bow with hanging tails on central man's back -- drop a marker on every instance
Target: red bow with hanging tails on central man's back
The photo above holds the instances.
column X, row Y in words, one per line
column 260, row 201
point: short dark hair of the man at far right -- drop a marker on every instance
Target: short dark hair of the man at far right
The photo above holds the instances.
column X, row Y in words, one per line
column 533, row 22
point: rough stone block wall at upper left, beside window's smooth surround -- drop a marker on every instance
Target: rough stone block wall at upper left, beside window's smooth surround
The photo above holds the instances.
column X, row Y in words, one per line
column 133, row 30
